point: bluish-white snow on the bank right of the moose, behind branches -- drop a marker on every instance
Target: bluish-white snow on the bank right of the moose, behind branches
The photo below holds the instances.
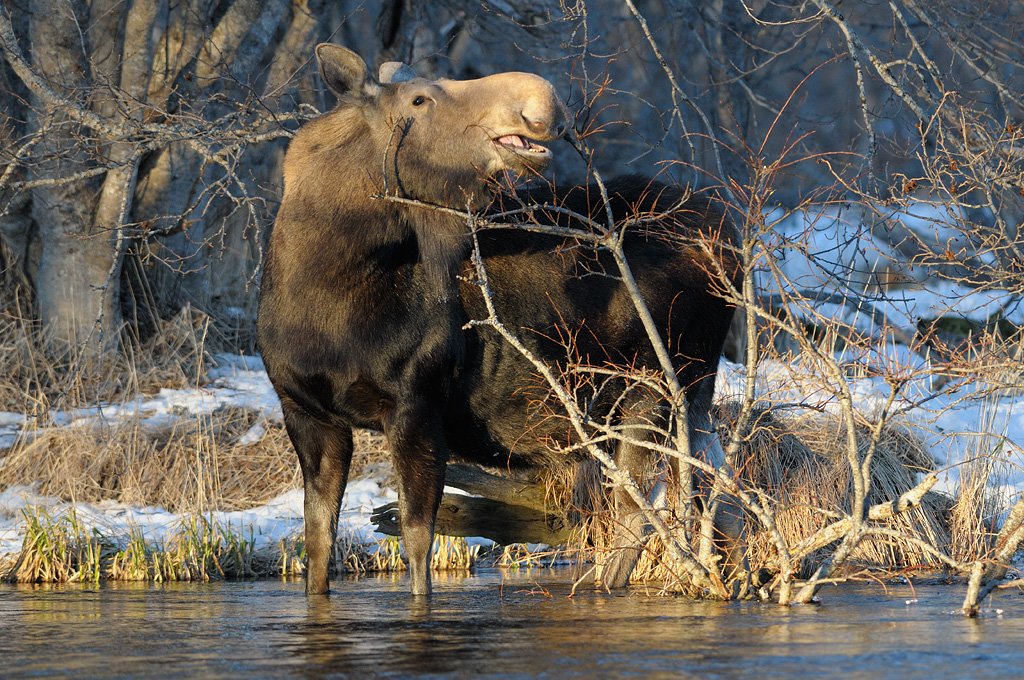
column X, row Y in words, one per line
column 833, row 261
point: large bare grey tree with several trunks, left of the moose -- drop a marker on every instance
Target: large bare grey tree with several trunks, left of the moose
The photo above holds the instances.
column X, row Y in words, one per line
column 136, row 124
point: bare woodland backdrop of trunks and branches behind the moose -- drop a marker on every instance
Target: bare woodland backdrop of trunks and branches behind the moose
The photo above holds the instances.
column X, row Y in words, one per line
column 142, row 141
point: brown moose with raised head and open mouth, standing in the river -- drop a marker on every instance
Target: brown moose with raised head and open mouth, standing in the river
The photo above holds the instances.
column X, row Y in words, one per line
column 365, row 301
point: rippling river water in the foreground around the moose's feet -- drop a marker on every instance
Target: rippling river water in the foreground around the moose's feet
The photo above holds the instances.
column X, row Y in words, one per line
column 496, row 626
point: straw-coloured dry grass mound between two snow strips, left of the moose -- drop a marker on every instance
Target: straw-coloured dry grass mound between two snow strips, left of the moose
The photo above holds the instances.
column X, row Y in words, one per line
column 195, row 465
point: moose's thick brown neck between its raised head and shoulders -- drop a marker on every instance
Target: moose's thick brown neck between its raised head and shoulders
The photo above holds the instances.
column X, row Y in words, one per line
column 346, row 187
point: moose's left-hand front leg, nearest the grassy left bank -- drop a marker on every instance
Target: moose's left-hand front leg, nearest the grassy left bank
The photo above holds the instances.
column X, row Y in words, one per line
column 325, row 455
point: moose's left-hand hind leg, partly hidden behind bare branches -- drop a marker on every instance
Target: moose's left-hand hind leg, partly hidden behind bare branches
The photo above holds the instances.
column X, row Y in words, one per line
column 631, row 527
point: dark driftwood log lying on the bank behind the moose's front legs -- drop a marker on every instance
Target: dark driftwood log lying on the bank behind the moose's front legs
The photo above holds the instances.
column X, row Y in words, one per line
column 501, row 509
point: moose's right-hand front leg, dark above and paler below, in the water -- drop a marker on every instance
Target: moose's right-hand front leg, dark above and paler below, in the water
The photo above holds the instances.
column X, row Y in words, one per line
column 420, row 458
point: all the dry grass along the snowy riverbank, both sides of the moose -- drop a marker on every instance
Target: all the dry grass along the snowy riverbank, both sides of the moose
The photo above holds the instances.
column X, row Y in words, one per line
column 198, row 465
